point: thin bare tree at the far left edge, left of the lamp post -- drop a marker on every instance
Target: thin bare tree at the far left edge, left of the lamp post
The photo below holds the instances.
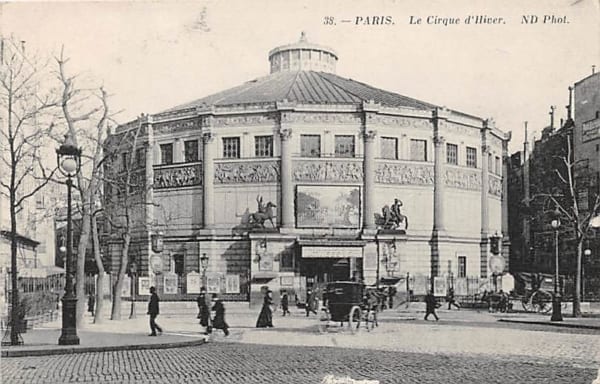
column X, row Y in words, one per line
column 26, row 107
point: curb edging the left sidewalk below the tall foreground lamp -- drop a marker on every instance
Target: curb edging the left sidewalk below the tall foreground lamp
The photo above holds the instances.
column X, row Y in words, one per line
column 109, row 348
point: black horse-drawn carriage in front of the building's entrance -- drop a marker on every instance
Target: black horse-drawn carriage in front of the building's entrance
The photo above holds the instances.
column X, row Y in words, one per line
column 350, row 304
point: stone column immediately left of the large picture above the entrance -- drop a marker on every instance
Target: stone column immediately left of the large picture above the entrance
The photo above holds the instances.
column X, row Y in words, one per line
column 287, row 186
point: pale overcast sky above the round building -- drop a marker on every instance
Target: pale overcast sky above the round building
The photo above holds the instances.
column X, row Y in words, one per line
column 155, row 55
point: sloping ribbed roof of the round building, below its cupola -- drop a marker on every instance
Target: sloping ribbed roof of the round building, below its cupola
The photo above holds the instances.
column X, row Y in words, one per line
column 305, row 87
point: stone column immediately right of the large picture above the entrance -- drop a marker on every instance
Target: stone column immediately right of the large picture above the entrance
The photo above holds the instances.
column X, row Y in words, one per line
column 369, row 178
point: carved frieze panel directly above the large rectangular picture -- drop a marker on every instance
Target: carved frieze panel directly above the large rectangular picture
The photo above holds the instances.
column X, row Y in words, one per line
column 345, row 171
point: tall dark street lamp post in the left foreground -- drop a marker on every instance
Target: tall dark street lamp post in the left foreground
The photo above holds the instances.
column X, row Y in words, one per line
column 68, row 157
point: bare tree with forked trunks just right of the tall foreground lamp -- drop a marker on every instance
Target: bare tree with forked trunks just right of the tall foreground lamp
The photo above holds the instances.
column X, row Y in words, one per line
column 86, row 115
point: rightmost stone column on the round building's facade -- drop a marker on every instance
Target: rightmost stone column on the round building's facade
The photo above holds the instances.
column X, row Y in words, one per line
column 487, row 125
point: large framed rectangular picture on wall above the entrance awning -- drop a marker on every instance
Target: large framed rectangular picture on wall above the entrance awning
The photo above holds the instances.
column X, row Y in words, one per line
column 319, row 206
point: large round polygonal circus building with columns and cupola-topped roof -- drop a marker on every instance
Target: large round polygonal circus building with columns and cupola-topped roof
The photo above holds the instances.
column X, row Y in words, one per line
column 302, row 177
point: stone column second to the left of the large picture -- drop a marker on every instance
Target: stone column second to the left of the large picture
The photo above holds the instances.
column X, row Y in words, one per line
column 208, row 169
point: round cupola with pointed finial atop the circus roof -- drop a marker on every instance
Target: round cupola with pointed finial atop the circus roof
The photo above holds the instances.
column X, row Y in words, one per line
column 303, row 56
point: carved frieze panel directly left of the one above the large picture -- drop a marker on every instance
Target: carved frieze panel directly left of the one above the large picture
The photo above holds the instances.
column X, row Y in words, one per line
column 247, row 172
